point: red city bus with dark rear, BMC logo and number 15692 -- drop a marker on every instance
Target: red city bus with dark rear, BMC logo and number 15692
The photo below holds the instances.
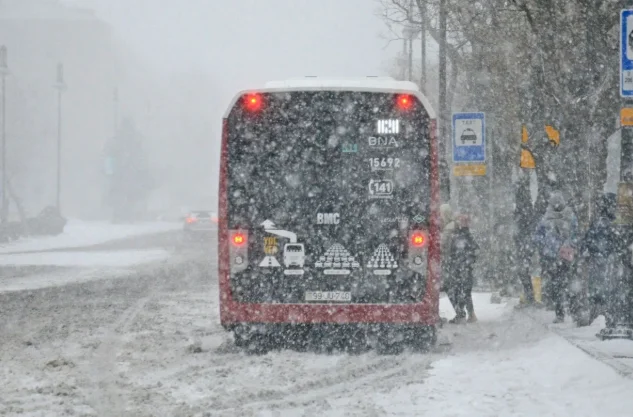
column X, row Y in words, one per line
column 329, row 197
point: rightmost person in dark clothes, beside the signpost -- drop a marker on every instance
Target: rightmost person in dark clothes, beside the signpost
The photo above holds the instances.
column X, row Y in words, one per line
column 597, row 245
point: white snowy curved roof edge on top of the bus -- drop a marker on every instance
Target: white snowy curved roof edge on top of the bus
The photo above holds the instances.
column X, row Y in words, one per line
column 377, row 84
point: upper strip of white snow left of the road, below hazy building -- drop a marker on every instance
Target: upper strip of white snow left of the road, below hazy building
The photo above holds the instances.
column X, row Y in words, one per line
column 80, row 233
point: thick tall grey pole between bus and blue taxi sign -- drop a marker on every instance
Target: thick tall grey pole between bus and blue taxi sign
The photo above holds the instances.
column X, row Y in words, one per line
column 443, row 131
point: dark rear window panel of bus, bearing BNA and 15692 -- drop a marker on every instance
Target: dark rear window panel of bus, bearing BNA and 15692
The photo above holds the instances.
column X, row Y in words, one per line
column 302, row 154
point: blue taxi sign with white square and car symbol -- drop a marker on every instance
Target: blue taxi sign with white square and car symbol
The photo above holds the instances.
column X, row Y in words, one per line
column 469, row 137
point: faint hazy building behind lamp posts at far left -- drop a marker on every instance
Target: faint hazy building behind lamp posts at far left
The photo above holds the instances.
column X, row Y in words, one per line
column 38, row 35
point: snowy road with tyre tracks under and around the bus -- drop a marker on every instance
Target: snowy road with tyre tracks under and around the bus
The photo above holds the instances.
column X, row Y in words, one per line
column 151, row 345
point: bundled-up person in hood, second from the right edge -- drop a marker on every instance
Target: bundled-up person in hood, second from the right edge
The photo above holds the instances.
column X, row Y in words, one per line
column 555, row 238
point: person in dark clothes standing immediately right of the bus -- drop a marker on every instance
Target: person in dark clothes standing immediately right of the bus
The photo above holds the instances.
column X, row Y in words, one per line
column 464, row 251
